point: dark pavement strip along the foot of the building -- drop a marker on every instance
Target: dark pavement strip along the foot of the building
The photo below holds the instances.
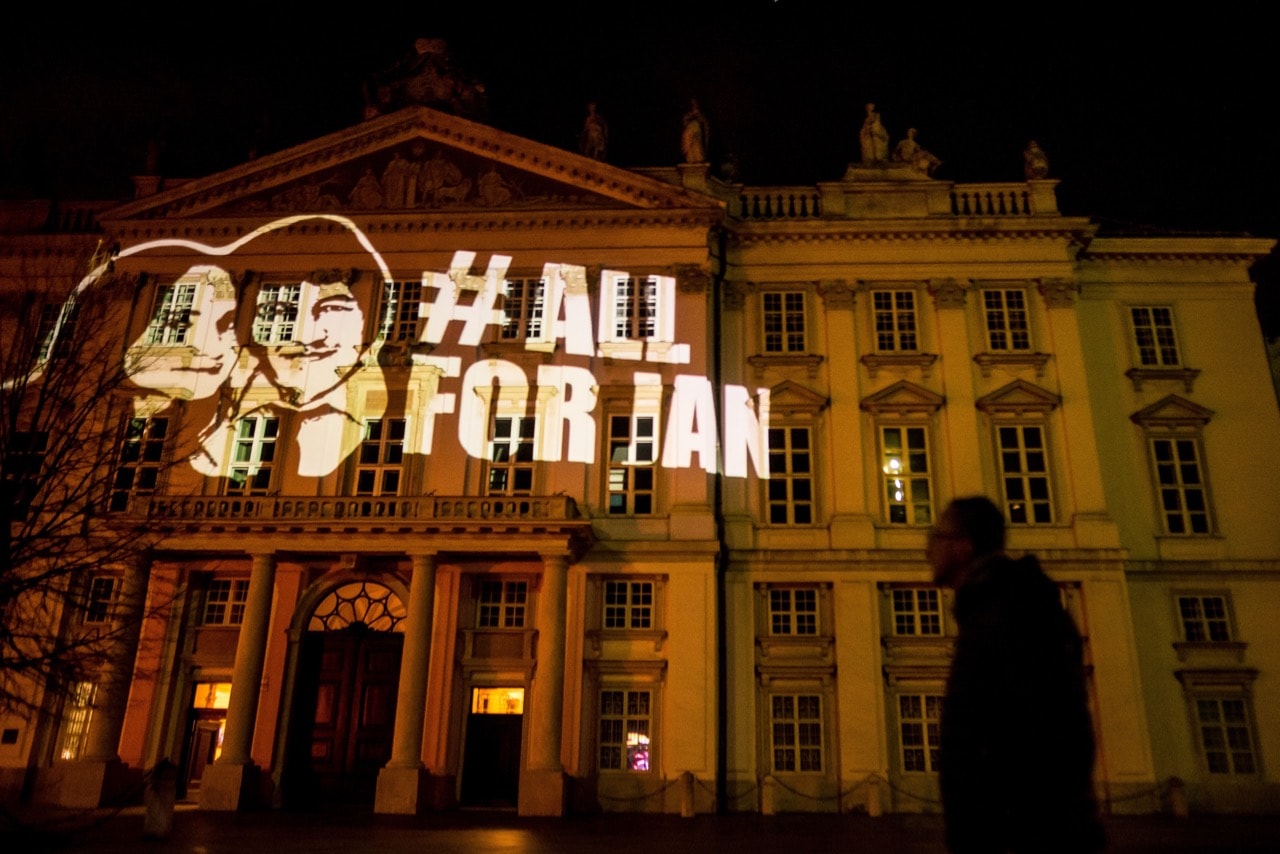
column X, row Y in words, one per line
column 496, row 833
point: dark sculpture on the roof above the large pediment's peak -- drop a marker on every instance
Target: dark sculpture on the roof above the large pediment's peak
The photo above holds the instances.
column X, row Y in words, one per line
column 427, row 77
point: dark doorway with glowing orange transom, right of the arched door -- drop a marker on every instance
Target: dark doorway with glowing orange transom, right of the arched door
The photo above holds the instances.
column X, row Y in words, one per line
column 491, row 760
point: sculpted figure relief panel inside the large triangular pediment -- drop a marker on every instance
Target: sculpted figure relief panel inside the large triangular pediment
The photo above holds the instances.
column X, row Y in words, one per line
column 418, row 177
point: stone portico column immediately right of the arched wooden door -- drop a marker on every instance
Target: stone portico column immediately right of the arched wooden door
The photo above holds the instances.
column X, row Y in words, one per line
column 401, row 786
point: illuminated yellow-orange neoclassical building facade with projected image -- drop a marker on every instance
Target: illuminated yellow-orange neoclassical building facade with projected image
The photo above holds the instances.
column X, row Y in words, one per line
column 491, row 474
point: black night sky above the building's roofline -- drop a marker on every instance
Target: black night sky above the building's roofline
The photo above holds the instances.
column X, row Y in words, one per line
column 1150, row 125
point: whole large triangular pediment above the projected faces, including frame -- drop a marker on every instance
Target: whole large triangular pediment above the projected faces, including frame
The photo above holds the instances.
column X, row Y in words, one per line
column 413, row 163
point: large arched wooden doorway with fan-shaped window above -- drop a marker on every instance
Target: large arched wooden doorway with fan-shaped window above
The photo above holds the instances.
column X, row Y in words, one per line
column 345, row 696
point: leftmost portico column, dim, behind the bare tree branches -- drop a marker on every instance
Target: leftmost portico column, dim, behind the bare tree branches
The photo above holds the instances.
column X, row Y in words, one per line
column 99, row 777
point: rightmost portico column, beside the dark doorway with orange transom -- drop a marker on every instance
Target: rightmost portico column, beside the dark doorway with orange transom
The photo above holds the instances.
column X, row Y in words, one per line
column 542, row 782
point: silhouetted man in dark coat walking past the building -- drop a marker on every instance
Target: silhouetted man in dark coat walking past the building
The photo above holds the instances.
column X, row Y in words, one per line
column 1017, row 748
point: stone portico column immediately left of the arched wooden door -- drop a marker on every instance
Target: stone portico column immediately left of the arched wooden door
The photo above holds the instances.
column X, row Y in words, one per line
column 230, row 784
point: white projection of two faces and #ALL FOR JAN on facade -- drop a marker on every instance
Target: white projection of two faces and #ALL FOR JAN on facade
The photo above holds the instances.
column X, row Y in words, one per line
column 245, row 351
